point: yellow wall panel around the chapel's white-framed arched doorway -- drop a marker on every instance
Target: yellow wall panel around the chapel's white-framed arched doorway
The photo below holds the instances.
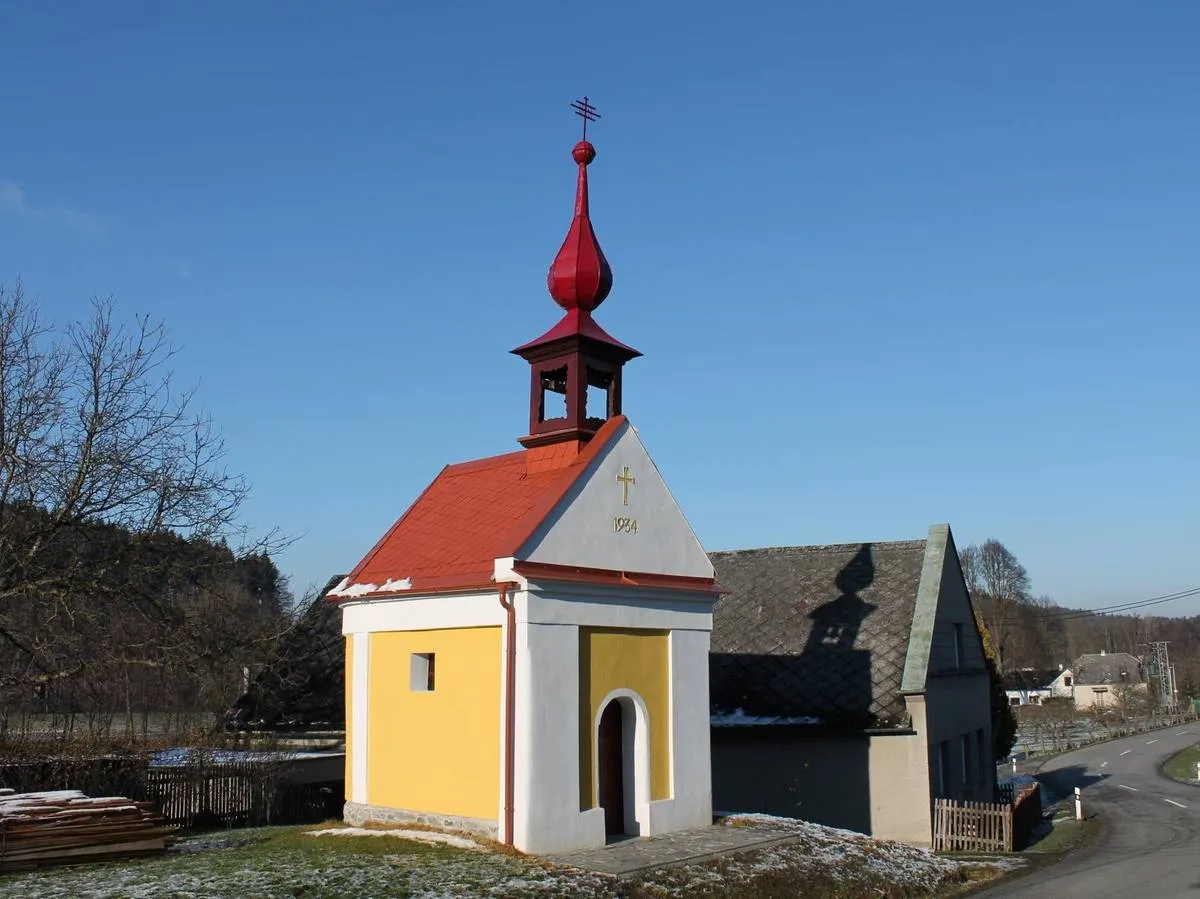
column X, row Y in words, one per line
column 639, row 661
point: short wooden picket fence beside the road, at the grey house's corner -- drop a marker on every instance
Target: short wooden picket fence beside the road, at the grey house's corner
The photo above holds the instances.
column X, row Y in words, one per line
column 988, row 826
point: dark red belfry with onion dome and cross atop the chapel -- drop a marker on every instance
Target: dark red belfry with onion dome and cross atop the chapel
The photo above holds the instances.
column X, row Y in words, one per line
column 577, row 355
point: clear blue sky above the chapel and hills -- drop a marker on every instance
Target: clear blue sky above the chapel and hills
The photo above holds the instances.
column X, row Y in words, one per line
column 891, row 265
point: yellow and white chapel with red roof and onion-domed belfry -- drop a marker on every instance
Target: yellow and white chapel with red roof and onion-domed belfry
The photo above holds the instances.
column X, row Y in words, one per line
column 527, row 649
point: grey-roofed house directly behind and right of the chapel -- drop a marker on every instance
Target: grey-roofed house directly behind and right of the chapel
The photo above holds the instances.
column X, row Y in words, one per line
column 849, row 686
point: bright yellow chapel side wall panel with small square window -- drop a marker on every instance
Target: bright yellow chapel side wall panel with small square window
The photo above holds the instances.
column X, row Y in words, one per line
column 436, row 752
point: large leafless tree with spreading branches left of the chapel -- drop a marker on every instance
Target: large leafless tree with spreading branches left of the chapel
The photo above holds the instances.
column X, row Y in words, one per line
column 106, row 474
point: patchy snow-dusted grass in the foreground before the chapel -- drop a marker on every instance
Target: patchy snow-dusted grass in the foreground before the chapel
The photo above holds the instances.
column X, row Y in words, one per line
column 284, row 862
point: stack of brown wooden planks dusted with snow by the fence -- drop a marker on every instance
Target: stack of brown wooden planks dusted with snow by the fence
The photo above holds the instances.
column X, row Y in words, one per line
column 67, row 828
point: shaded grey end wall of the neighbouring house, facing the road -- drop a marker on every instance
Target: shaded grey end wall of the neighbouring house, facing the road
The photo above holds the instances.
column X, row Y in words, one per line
column 958, row 715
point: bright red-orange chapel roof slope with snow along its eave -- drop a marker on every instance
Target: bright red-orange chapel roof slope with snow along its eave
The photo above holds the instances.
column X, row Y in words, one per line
column 475, row 513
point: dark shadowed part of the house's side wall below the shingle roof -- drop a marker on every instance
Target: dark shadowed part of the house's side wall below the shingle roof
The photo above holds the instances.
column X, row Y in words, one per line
column 781, row 771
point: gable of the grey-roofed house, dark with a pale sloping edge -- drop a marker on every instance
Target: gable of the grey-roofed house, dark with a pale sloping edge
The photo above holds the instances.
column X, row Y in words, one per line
column 945, row 634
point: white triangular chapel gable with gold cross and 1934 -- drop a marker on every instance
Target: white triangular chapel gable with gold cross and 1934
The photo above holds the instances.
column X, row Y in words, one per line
column 620, row 516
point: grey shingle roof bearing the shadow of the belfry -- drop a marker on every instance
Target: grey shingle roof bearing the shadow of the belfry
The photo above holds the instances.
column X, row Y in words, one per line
column 815, row 632
